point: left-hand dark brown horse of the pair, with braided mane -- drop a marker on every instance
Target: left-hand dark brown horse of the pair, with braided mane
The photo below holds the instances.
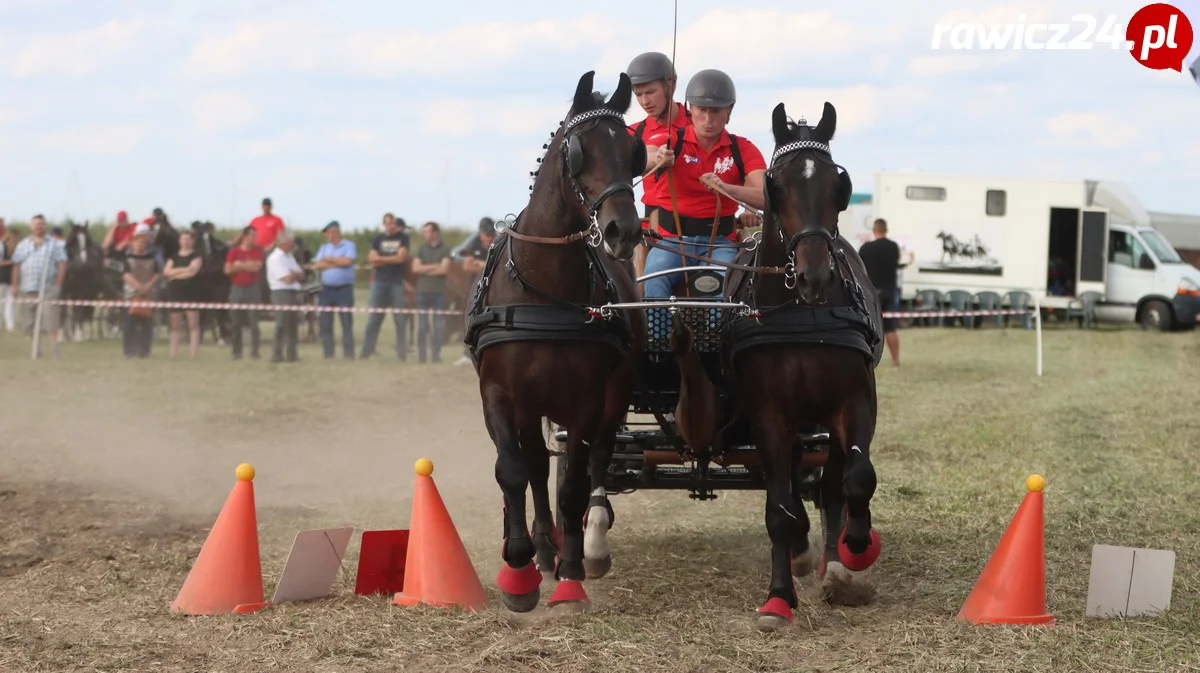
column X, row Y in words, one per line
column 543, row 351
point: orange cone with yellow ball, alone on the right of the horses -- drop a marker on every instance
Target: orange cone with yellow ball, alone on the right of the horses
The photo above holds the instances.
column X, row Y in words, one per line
column 1012, row 588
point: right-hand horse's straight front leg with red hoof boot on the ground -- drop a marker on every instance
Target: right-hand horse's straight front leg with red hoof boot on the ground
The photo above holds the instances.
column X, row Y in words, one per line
column 776, row 441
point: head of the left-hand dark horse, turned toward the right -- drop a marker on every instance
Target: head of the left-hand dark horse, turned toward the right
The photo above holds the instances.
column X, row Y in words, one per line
column 598, row 163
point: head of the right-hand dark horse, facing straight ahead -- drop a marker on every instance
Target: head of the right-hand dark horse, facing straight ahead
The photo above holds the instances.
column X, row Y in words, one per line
column 806, row 190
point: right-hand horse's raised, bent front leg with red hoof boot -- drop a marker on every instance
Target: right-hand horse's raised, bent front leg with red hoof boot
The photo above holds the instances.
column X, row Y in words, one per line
column 848, row 485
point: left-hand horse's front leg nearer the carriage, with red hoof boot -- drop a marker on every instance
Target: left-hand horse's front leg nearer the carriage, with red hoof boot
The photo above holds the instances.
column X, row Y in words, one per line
column 569, row 596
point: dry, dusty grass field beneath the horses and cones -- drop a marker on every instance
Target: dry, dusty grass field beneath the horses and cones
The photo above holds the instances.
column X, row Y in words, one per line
column 113, row 471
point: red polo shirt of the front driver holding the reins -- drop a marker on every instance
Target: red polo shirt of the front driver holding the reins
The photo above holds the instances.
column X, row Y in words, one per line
column 692, row 163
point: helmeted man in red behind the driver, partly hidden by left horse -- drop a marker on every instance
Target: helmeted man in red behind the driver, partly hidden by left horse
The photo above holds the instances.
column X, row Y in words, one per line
column 655, row 85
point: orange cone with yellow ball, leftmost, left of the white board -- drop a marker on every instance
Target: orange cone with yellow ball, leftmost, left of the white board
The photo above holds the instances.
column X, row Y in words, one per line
column 227, row 578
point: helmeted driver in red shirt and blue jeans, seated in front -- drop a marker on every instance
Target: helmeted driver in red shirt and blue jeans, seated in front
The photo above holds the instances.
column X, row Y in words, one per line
column 707, row 151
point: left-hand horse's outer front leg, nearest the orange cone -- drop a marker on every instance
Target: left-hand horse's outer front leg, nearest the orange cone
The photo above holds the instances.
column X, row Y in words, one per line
column 519, row 580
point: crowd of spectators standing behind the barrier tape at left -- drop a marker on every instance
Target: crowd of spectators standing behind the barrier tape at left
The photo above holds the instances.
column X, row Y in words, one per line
column 265, row 265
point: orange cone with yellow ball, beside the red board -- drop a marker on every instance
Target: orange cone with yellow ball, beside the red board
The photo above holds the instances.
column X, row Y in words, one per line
column 437, row 569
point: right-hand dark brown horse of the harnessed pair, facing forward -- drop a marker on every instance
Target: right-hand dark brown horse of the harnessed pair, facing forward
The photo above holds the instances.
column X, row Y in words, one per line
column 807, row 356
